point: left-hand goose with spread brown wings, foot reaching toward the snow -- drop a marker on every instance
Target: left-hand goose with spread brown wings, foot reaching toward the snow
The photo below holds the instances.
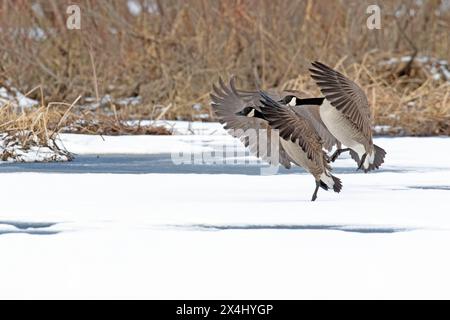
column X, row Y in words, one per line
column 300, row 131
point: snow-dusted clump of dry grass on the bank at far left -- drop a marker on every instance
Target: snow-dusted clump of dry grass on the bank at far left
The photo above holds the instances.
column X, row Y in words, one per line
column 39, row 127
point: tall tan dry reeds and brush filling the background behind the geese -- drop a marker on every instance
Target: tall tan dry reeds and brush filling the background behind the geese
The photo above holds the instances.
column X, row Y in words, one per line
column 170, row 57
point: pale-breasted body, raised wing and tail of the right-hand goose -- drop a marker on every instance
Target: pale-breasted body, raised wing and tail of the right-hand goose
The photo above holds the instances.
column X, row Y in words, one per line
column 346, row 113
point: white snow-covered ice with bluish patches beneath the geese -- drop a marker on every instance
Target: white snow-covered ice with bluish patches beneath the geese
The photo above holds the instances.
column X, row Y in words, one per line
column 217, row 232
